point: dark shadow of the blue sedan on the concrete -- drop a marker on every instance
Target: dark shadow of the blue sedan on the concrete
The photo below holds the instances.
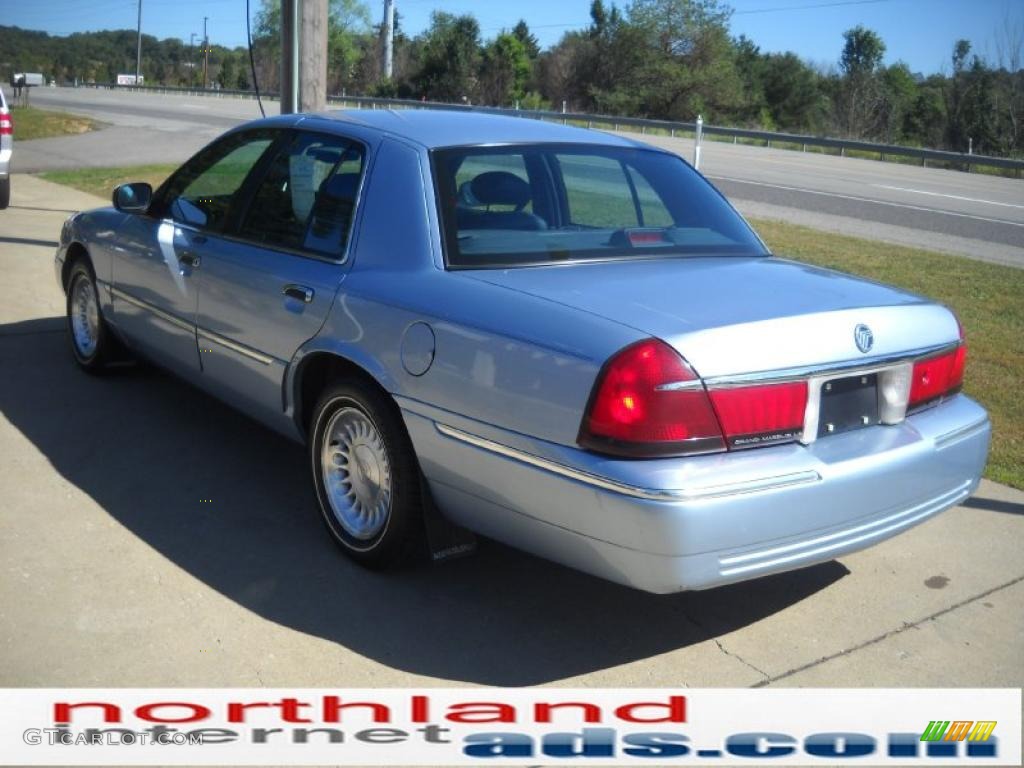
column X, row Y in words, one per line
column 149, row 449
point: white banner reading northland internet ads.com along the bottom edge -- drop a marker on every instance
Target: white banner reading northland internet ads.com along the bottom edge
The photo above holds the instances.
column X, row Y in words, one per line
column 502, row 727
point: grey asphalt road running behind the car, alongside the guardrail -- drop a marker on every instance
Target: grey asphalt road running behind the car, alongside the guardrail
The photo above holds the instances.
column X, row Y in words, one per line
column 974, row 216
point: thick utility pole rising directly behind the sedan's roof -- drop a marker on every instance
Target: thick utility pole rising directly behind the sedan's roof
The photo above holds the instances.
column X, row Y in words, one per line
column 304, row 56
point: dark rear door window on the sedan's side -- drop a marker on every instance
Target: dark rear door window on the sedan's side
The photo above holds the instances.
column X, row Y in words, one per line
column 307, row 198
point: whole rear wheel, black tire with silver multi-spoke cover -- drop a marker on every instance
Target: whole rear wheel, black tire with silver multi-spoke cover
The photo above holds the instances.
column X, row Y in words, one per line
column 366, row 477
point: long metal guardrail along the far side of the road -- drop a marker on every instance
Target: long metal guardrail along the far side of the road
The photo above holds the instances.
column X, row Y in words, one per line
column 957, row 159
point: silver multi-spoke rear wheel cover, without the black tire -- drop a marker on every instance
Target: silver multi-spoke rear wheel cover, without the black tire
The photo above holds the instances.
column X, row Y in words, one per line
column 357, row 474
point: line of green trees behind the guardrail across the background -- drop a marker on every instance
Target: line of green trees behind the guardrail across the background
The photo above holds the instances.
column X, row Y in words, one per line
column 669, row 60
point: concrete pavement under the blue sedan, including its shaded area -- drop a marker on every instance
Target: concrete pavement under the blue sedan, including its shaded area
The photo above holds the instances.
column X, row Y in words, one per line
column 152, row 537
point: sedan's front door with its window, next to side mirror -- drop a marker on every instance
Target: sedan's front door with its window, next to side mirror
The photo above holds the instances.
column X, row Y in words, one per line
column 158, row 263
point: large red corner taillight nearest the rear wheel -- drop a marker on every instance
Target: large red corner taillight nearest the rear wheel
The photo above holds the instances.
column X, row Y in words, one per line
column 648, row 402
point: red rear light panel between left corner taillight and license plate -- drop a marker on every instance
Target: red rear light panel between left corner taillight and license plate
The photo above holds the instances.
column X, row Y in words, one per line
column 761, row 415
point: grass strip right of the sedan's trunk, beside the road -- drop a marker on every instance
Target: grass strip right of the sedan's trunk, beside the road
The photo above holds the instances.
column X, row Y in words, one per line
column 989, row 300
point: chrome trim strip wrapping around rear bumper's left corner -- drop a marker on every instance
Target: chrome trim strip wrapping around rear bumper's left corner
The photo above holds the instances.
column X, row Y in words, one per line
column 657, row 495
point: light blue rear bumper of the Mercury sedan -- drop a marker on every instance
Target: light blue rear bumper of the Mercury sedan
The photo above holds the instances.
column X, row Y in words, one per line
column 666, row 526
